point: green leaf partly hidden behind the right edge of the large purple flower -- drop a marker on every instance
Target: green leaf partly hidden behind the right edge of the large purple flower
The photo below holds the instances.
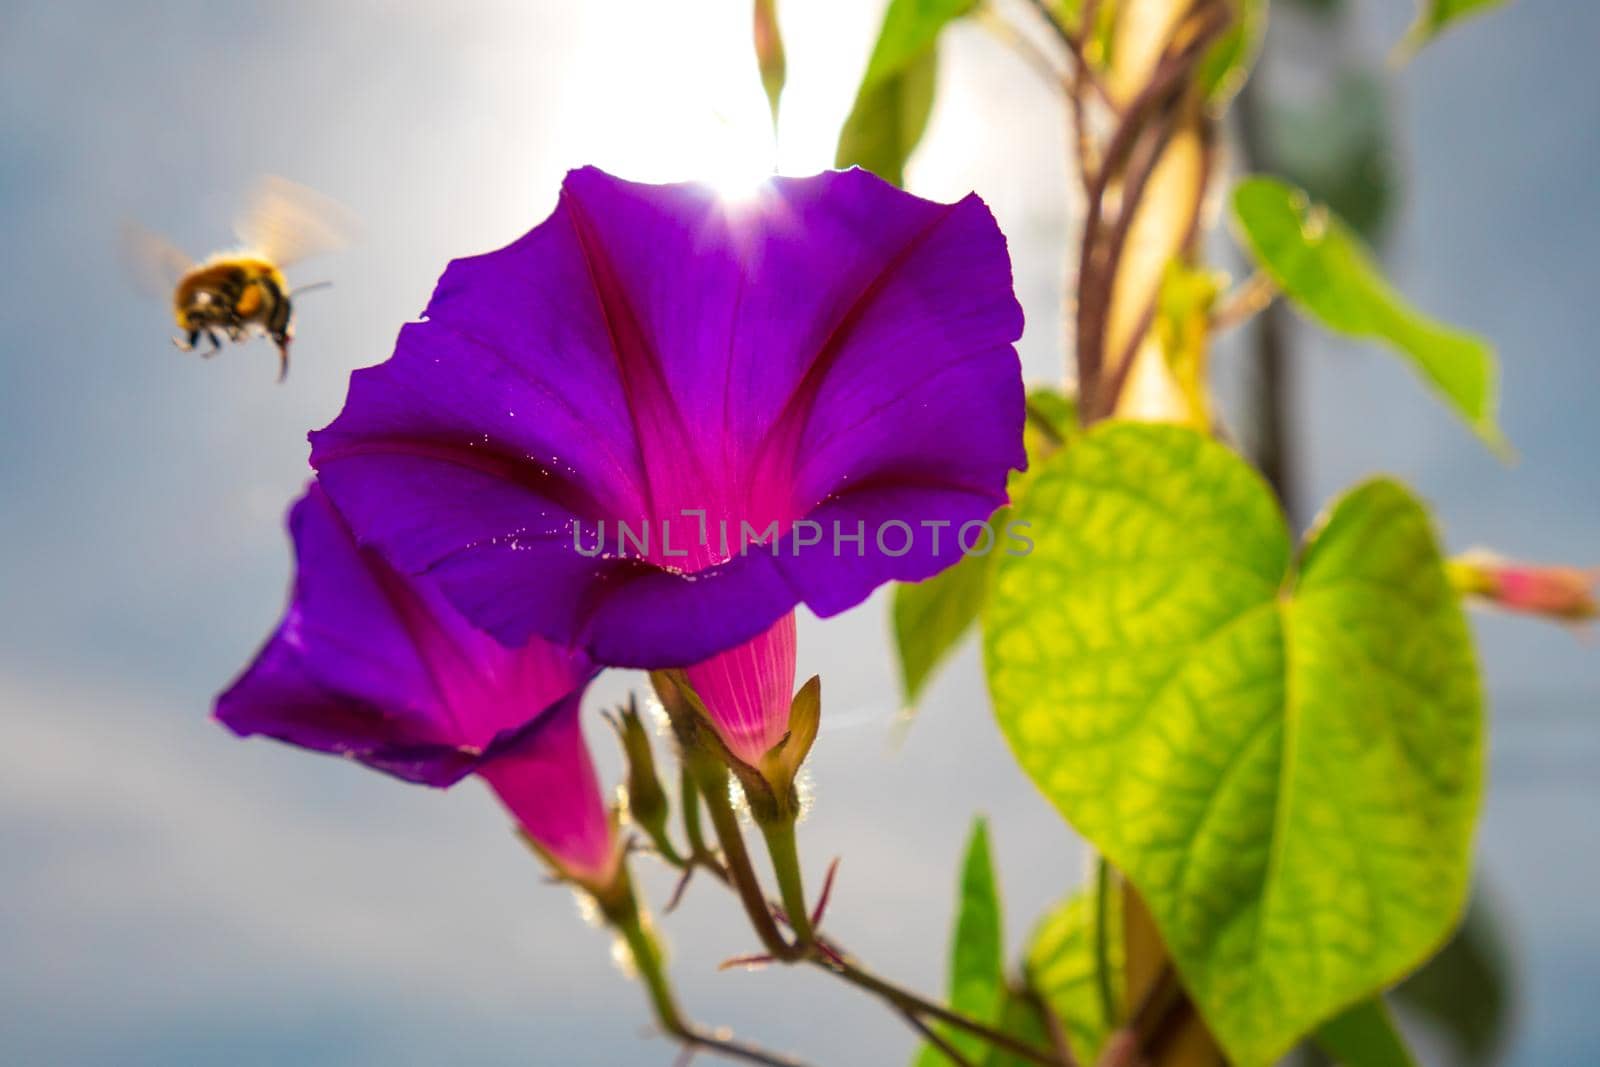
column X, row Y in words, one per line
column 934, row 617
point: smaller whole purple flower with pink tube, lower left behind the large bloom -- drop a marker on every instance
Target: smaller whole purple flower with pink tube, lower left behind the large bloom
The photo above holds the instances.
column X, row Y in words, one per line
column 380, row 668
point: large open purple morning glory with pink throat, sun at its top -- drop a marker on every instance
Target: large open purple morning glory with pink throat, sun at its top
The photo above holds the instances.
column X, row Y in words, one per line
column 823, row 377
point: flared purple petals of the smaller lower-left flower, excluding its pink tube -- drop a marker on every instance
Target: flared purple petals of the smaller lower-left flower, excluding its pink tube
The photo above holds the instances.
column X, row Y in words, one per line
column 382, row 669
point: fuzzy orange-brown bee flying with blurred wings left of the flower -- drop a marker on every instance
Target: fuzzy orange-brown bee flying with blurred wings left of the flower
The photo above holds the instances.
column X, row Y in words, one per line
column 242, row 292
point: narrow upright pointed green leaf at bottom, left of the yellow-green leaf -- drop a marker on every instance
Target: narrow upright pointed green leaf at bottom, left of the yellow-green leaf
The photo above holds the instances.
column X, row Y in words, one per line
column 977, row 953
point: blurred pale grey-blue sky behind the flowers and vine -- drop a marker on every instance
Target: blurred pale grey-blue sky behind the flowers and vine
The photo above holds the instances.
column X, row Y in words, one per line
column 170, row 895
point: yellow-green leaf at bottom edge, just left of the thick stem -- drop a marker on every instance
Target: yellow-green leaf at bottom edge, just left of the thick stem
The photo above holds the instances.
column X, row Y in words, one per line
column 1063, row 964
